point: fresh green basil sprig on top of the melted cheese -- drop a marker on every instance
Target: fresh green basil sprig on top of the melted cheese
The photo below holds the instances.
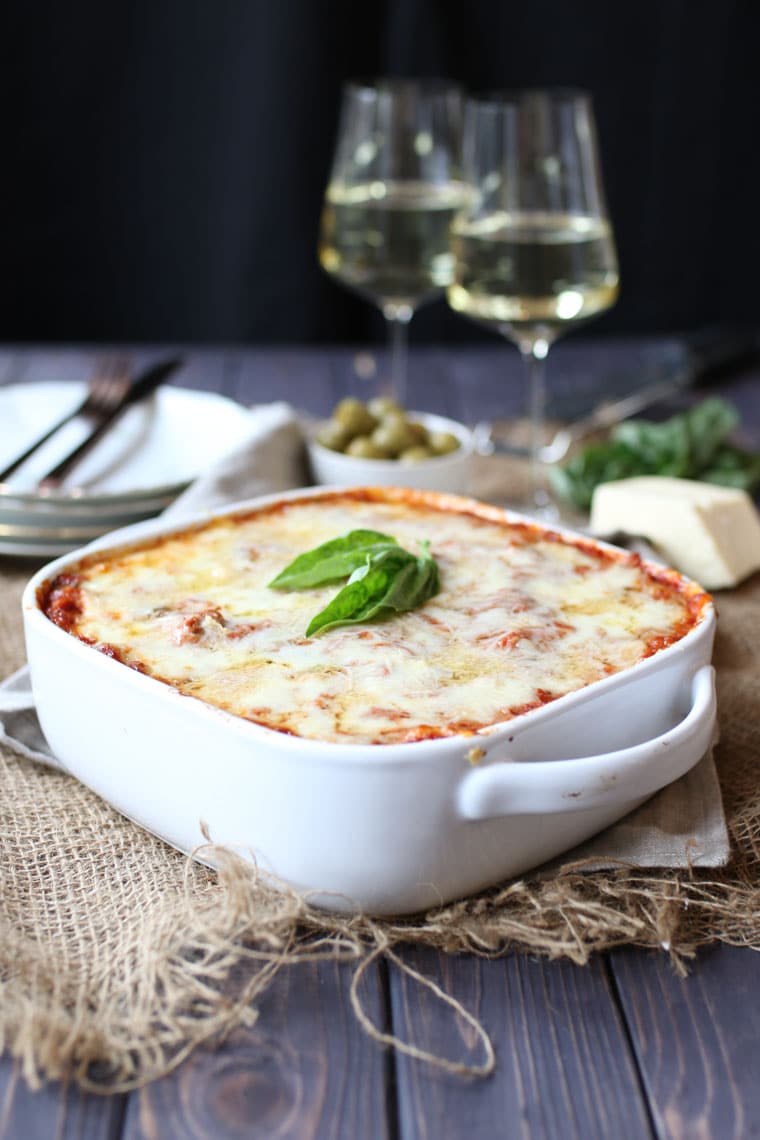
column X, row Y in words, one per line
column 382, row 579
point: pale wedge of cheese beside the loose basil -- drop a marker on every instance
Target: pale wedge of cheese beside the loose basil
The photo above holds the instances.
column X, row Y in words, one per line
column 710, row 534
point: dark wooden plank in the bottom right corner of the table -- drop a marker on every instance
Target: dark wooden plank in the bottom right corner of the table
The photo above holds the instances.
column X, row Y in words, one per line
column 697, row 1039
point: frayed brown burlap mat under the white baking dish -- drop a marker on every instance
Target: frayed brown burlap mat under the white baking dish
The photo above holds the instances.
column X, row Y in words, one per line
column 119, row 956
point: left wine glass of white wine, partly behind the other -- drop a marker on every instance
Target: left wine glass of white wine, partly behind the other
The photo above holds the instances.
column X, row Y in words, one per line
column 394, row 190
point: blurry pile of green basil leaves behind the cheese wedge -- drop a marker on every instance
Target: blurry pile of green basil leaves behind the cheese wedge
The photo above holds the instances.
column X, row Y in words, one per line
column 691, row 445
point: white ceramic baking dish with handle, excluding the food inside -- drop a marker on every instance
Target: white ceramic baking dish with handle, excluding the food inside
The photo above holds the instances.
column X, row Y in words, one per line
column 386, row 829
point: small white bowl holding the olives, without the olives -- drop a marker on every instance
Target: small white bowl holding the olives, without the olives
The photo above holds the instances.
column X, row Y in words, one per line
column 450, row 473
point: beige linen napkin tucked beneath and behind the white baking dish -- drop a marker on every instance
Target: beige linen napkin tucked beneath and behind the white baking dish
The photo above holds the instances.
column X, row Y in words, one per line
column 683, row 826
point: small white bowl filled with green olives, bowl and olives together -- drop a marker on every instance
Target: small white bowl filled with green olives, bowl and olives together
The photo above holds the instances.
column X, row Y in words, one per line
column 385, row 445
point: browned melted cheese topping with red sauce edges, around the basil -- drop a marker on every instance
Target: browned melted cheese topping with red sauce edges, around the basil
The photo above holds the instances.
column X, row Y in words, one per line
column 524, row 617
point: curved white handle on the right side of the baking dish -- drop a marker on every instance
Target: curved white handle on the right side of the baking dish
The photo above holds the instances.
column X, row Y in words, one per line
column 612, row 779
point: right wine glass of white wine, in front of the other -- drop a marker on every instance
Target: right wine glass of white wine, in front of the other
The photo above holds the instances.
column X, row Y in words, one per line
column 534, row 246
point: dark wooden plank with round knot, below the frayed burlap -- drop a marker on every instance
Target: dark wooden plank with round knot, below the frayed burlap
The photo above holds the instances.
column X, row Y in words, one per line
column 306, row 1070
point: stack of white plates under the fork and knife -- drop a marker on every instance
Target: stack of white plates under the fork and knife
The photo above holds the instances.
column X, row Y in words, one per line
column 137, row 470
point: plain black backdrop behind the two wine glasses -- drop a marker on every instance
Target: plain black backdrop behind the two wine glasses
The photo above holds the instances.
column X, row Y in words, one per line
column 165, row 160
